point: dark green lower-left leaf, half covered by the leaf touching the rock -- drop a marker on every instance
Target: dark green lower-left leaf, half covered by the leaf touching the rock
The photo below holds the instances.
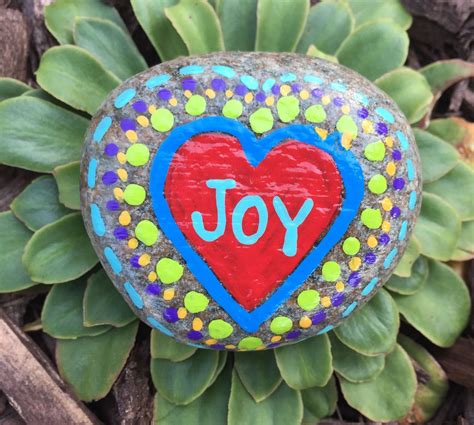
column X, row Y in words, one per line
column 62, row 314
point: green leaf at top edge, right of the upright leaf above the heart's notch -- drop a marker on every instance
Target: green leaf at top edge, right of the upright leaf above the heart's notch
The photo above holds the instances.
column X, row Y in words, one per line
column 328, row 25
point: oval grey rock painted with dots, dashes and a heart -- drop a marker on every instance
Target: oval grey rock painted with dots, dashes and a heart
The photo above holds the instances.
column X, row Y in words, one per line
column 245, row 201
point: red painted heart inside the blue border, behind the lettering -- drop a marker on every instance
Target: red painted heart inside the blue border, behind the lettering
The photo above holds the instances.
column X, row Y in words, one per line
column 292, row 171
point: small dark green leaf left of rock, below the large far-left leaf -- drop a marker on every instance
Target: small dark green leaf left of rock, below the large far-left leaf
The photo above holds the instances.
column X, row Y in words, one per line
column 38, row 204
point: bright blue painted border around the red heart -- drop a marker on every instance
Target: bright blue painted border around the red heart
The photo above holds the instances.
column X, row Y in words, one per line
column 255, row 151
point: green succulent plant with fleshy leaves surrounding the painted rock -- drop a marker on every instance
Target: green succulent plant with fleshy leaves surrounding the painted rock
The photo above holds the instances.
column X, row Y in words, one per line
column 44, row 242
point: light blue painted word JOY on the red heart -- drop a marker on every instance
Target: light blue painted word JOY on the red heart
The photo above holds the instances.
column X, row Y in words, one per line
column 250, row 201
